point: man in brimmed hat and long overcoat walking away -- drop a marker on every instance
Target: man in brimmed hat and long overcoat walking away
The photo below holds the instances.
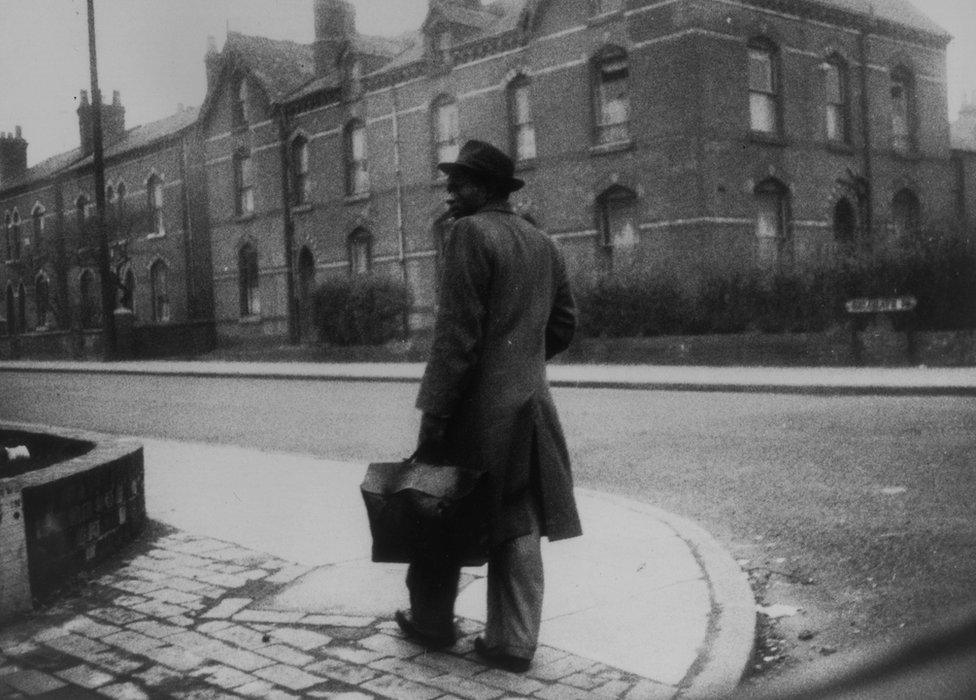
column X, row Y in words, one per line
column 505, row 308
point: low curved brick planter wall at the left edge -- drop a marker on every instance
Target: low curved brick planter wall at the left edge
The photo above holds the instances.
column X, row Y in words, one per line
column 62, row 519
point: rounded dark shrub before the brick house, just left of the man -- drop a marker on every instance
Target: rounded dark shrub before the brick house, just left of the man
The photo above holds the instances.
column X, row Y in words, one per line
column 361, row 309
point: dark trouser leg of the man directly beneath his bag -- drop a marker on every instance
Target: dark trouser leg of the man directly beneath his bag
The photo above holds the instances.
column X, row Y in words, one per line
column 432, row 581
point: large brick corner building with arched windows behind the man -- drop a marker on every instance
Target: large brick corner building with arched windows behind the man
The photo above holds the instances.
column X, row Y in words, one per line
column 686, row 136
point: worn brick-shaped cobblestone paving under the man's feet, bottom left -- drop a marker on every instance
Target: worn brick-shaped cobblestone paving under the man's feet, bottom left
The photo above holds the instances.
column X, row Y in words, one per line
column 180, row 616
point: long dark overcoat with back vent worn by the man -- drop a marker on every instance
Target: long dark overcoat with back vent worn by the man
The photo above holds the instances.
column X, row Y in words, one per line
column 505, row 307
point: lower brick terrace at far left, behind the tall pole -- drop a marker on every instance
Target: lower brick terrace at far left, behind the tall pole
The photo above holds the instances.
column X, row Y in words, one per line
column 157, row 230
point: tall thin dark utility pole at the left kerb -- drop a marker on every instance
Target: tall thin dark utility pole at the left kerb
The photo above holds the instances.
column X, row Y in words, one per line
column 98, row 166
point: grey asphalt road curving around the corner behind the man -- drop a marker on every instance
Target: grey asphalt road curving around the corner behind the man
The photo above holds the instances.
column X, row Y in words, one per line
column 859, row 510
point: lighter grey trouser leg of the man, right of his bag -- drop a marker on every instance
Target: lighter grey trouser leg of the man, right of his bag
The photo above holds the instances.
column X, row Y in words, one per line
column 515, row 587
